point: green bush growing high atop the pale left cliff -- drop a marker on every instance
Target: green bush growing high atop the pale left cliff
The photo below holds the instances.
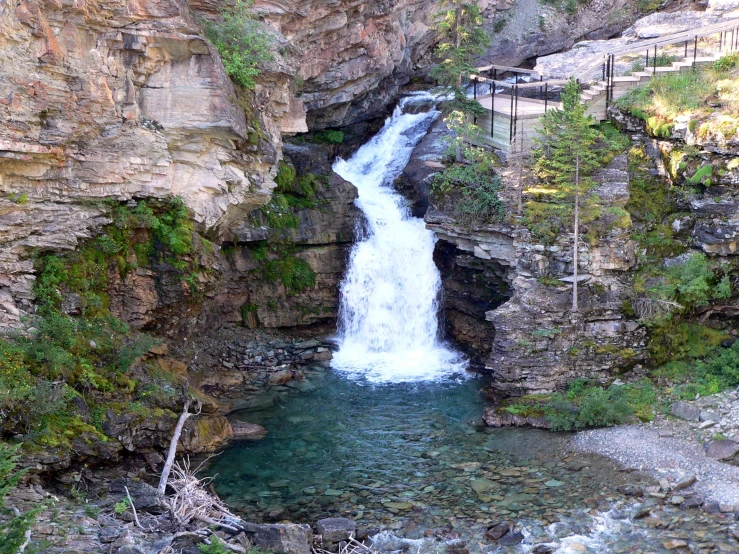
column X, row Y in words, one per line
column 242, row 42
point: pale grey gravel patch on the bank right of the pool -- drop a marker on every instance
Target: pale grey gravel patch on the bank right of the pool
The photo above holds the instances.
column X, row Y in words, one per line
column 650, row 448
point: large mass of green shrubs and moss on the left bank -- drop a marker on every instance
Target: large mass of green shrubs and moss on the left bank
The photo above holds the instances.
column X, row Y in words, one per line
column 78, row 361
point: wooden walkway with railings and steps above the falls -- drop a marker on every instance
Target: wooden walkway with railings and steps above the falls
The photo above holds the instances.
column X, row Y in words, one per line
column 516, row 111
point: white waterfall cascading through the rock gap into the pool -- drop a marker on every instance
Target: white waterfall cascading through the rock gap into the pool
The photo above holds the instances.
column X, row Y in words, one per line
column 388, row 326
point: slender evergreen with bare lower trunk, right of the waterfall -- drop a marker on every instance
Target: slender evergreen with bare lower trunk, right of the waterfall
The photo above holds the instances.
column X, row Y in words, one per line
column 565, row 156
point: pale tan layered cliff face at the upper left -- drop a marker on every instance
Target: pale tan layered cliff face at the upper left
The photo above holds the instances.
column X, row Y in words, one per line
column 107, row 100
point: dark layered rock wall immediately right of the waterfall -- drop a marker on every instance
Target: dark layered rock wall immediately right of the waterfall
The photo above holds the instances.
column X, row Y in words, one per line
column 537, row 344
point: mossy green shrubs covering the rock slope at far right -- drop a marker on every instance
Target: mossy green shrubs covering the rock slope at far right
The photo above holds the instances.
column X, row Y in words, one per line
column 687, row 354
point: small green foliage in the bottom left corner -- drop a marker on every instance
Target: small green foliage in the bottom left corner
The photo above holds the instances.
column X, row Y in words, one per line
column 13, row 527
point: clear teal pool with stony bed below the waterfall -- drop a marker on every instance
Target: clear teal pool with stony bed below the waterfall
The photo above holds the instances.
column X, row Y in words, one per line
column 414, row 458
